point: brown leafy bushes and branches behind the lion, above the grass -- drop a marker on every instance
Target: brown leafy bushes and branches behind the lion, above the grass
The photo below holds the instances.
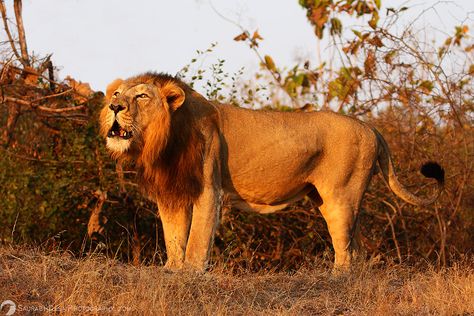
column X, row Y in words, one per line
column 52, row 155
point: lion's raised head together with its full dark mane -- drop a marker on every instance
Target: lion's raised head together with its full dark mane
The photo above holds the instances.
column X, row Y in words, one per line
column 146, row 119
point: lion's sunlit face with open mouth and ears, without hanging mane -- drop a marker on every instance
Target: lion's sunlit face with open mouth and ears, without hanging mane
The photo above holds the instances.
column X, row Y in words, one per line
column 139, row 108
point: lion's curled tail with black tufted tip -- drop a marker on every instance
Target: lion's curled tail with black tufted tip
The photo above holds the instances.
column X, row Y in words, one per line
column 429, row 170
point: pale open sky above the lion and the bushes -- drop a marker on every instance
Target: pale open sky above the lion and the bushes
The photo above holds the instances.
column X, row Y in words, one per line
column 97, row 41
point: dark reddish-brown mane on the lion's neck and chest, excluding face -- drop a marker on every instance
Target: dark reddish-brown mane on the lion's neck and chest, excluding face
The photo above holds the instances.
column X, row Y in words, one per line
column 175, row 176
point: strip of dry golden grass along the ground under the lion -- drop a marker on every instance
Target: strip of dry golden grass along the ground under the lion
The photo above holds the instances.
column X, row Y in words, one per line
column 59, row 284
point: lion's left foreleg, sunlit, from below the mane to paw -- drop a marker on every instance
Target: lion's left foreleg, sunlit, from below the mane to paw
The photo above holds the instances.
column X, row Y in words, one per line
column 176, row 223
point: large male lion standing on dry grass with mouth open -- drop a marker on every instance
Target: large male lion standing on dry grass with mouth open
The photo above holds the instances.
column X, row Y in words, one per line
column 190, row 153
